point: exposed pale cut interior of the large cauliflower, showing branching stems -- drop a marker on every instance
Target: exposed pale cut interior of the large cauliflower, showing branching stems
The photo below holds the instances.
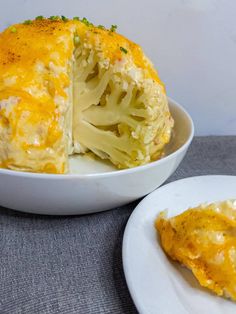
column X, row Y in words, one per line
column 119, row 114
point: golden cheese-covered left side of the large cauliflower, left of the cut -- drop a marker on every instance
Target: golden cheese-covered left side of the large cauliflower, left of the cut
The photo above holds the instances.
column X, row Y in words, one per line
column 34, row 68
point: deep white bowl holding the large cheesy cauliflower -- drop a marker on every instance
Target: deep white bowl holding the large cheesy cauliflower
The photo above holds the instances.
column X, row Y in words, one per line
column 94, row 186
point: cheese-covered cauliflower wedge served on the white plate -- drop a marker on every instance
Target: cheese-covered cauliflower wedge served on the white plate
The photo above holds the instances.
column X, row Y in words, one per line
column 204, row 240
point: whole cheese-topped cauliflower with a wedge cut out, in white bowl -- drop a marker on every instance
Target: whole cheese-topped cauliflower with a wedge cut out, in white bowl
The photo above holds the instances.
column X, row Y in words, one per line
column 68, row 87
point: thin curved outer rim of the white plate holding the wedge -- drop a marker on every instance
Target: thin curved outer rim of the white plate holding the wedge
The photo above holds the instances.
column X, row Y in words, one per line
column 129, row 224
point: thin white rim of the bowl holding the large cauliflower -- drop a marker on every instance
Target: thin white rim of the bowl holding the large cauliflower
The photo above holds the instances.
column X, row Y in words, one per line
column 69, row 176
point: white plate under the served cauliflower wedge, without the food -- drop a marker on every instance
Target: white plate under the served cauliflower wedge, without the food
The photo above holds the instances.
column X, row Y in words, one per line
column 157, row 285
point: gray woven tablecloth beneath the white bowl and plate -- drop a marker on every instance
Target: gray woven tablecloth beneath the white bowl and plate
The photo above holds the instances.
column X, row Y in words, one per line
column 73, row 264
